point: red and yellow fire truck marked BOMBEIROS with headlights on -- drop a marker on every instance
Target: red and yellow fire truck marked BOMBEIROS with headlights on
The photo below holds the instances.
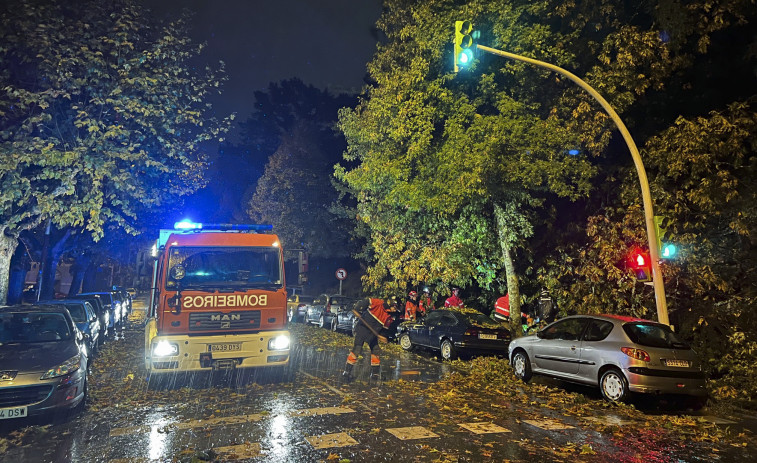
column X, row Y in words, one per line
column 218, row 300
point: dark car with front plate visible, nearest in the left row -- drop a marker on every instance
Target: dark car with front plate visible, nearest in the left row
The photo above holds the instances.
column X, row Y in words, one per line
column 44, row 361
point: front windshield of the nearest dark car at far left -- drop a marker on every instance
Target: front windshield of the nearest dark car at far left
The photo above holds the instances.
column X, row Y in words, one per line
column 24, row 327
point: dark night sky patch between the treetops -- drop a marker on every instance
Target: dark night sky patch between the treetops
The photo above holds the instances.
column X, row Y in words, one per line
column 326, row 43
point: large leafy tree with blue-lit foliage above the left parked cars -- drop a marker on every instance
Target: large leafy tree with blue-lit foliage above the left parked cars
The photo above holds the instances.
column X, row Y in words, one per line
column 102, row 116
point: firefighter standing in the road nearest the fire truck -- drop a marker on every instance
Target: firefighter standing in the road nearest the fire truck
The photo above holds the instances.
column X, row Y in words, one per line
column 373, row 316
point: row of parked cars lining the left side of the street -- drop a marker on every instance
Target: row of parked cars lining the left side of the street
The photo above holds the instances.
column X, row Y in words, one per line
column 46, row 347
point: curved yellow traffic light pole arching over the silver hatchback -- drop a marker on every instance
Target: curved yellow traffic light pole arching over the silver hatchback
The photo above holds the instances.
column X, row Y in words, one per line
column 659, row 288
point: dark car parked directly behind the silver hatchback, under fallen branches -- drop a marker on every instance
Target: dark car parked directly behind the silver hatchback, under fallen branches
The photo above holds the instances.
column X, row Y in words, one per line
column 456, row 331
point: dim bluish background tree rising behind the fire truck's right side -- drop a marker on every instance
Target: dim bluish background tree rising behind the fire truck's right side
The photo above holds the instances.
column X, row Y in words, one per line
column 296, row 192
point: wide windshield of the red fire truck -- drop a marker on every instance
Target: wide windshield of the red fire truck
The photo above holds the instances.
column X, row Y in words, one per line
column 224, row 267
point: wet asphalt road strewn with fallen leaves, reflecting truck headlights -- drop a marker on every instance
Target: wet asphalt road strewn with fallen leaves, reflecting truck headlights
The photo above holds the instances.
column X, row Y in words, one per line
column 308, row 415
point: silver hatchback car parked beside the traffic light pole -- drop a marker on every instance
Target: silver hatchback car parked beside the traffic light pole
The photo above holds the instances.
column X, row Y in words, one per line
column 618, row 354
